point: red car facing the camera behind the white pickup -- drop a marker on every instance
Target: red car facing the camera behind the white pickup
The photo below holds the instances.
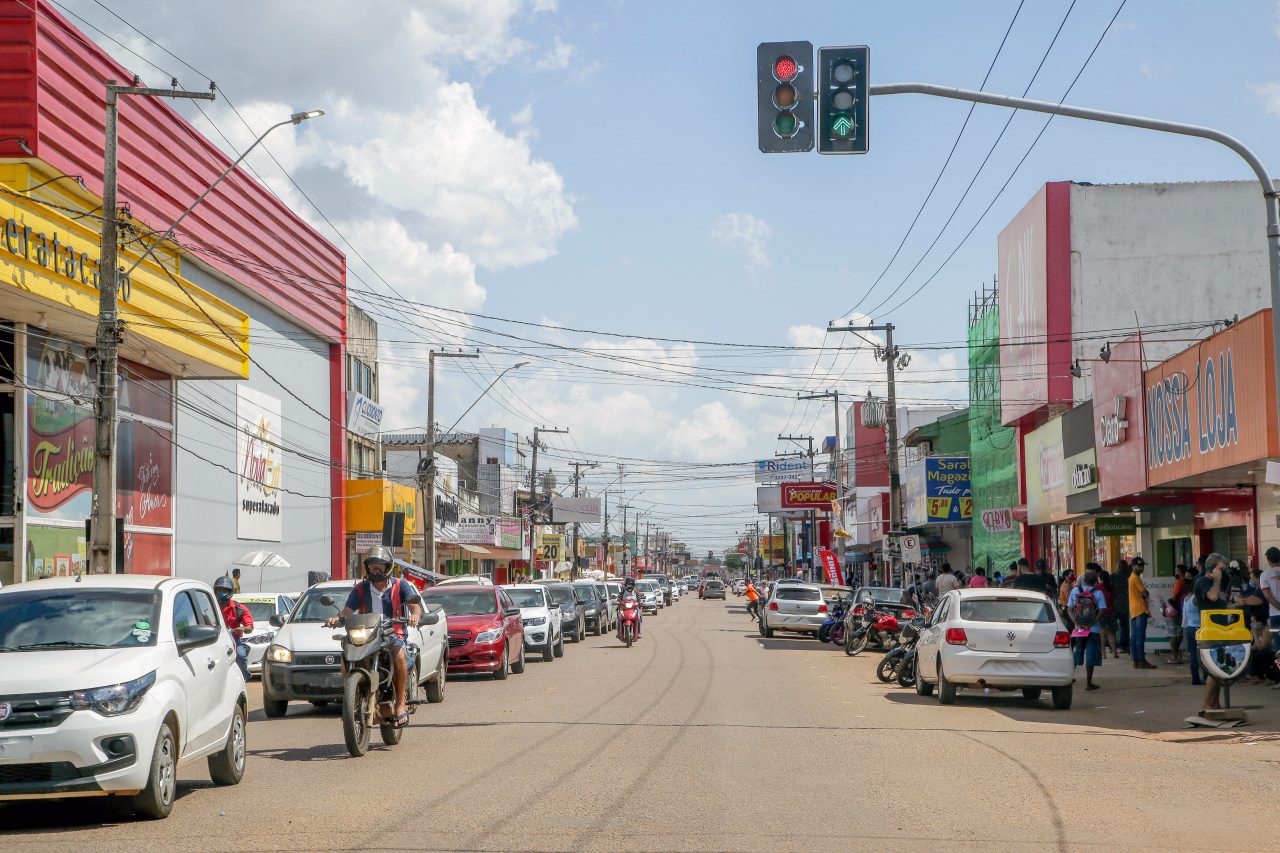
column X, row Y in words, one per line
column 487, row 633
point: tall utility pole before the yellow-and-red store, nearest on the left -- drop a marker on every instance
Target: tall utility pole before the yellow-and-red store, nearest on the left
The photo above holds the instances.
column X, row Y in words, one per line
column 111, row 331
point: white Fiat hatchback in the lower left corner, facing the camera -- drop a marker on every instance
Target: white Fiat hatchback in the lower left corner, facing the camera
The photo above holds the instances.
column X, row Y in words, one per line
column 111, row 683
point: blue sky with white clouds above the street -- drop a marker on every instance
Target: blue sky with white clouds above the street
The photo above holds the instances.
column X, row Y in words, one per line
column 589, row 167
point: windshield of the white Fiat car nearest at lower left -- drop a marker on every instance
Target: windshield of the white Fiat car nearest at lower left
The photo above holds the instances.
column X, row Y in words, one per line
column 43, row 619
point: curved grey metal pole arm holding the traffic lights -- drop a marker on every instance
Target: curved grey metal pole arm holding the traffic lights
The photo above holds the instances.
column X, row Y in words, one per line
column 1270, row 188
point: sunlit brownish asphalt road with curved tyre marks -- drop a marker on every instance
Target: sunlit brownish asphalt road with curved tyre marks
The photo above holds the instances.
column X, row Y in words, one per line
column 702, row 737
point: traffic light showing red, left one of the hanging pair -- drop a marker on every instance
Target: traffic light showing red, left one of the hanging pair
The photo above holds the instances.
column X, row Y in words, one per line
column 784, row 76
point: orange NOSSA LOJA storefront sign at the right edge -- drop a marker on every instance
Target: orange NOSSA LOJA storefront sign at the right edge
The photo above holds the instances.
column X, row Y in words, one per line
column 1212, row 407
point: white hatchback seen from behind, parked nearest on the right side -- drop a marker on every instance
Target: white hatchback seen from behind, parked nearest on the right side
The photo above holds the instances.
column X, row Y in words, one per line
column 1007, row 640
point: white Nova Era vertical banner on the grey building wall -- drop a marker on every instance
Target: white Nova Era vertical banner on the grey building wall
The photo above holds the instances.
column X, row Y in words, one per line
column 259, row 454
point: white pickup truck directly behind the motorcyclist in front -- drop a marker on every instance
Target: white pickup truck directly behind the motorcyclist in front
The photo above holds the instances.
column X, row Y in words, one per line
column 304, row 662
